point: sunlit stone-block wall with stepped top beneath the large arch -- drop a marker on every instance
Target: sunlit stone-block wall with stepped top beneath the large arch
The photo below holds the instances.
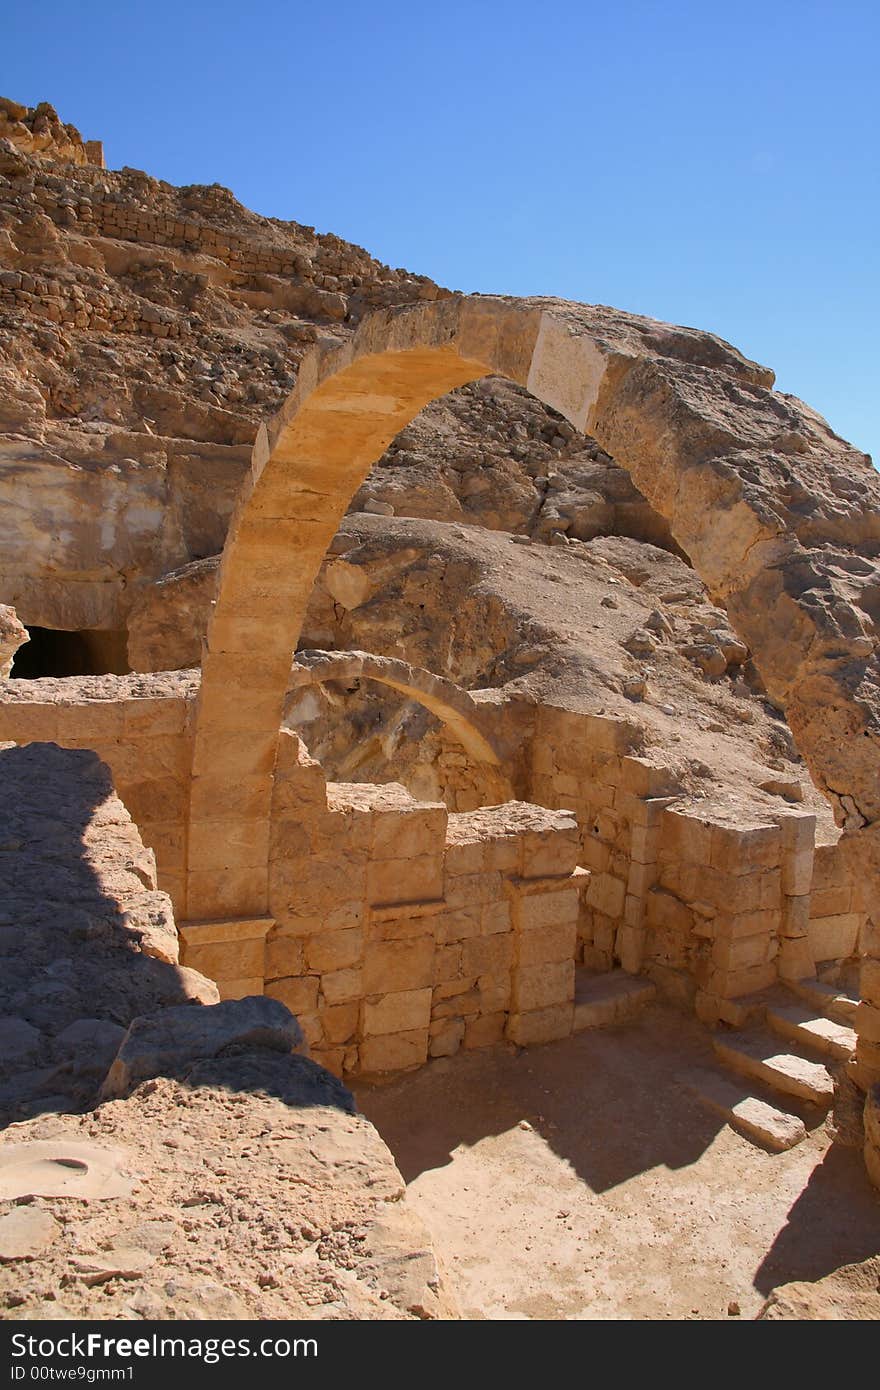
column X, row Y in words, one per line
column 400, row 932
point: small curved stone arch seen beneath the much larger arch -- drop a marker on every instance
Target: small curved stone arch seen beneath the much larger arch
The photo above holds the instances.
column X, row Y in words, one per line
column 453, row 705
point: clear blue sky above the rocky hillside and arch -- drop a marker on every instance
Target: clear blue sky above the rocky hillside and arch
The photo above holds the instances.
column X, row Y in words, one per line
column 707, row 163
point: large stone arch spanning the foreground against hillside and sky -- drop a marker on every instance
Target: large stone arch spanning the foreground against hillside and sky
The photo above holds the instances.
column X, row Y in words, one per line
column 704, row 437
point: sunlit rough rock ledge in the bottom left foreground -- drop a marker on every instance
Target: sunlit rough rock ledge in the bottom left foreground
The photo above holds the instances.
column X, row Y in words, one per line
column 252, row 1191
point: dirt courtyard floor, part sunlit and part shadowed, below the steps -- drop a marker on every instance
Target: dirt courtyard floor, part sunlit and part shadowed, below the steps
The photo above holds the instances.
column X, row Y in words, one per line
column 580, row 1181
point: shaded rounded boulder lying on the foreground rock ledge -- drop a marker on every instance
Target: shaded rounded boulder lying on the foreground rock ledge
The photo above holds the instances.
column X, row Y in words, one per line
column 172, row 1040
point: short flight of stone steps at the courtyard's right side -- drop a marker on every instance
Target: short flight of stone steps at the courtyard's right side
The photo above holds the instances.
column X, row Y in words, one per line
column 775, row 1075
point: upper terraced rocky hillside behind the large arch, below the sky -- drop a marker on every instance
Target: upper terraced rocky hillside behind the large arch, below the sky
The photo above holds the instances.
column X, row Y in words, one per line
column 147, row 330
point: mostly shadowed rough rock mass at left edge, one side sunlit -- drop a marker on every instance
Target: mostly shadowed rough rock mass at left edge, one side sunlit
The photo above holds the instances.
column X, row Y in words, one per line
column 85, row 946
